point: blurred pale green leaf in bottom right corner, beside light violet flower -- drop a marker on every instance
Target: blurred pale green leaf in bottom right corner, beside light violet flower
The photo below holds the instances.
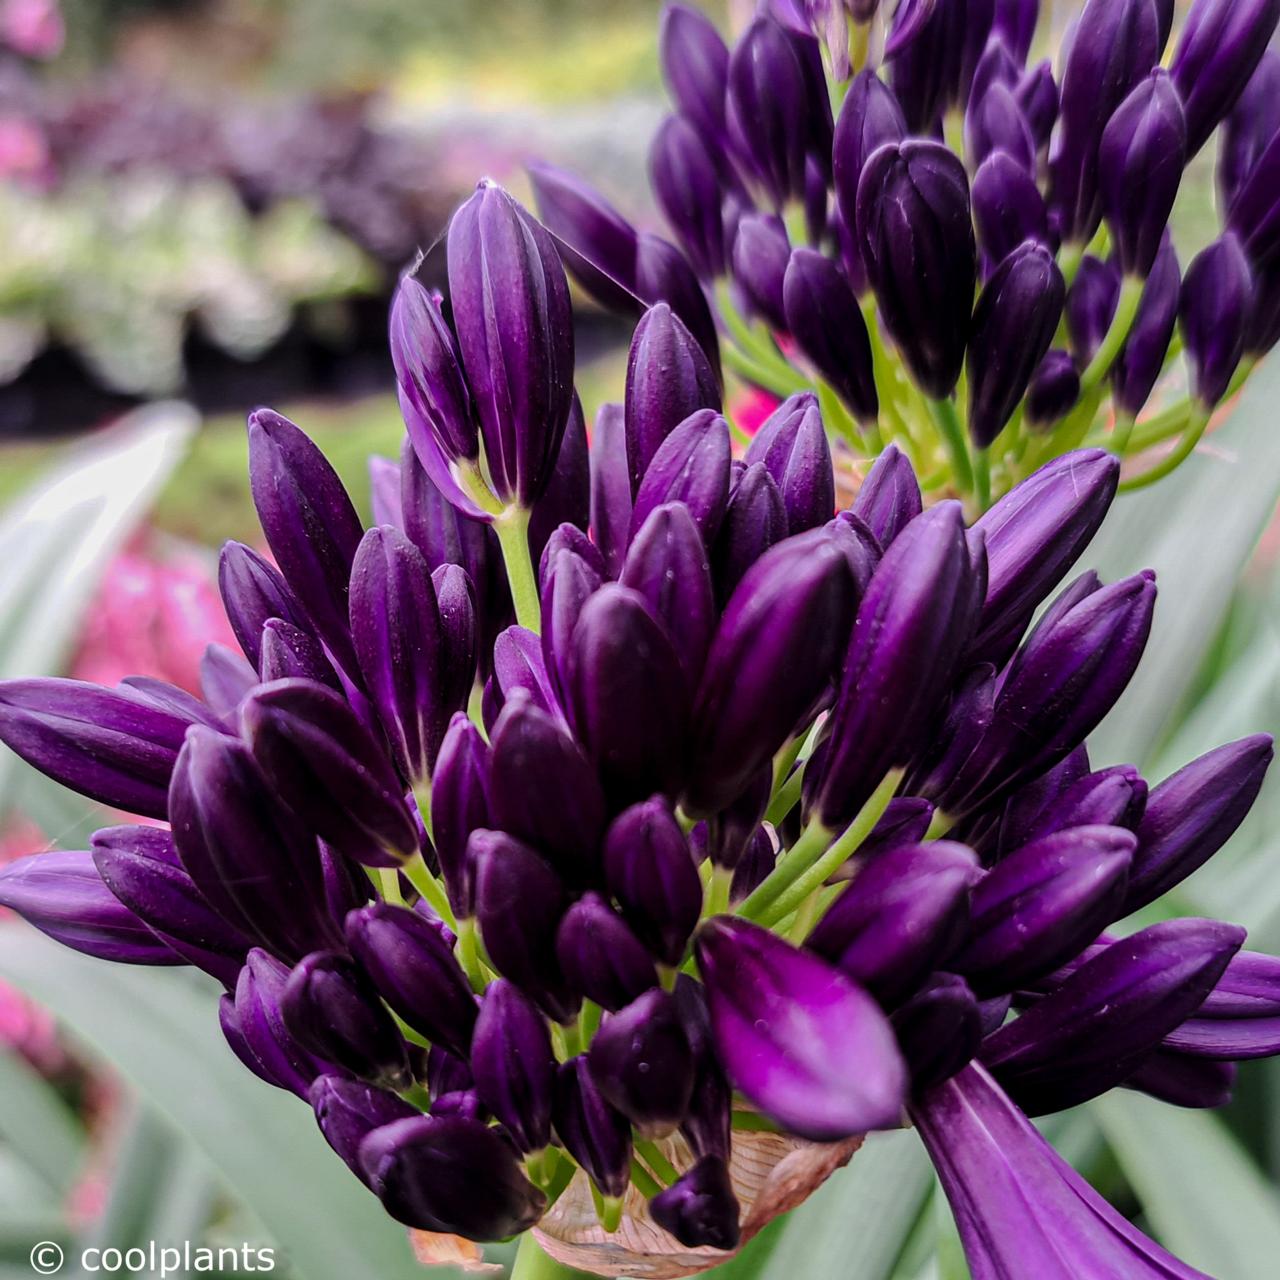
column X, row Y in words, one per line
column 1206, row 1200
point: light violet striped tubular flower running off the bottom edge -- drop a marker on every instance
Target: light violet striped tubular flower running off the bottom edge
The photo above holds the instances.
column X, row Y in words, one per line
column 991, row 1158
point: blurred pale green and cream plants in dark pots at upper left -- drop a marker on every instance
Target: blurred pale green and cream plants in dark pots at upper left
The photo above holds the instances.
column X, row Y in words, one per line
column 117, row 268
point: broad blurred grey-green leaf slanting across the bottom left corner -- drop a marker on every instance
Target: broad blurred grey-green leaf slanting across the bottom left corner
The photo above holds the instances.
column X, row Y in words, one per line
column 159, row 1030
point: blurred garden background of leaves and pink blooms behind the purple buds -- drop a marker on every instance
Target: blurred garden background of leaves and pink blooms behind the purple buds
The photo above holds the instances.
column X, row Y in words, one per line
column 212, row 199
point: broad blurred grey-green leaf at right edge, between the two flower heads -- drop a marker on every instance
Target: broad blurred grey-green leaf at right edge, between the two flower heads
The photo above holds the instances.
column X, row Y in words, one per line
column 1197, row 529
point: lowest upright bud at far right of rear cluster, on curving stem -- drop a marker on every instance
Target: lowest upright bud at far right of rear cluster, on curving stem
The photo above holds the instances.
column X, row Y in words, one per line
column 1217, row 301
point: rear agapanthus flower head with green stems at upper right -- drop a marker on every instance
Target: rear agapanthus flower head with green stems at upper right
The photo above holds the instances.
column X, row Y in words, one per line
column 957, row 252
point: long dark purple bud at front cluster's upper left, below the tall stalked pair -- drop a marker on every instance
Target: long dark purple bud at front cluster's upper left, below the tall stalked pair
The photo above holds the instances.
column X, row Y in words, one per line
column 310, row 525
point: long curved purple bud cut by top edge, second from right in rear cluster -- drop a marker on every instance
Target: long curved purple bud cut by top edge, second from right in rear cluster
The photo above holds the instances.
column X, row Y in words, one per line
column 1116, row 45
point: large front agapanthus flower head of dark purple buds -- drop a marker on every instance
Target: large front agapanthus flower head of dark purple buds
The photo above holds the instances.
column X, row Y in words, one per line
column 765, row 815
